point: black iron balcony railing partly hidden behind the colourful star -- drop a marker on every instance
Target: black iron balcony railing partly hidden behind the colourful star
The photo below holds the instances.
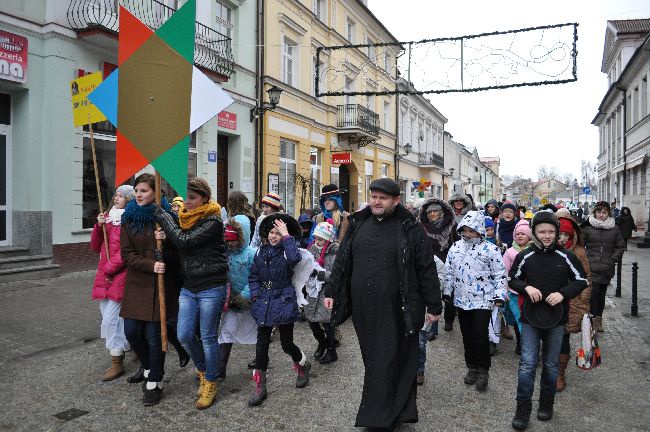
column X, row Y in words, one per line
column 89, row 18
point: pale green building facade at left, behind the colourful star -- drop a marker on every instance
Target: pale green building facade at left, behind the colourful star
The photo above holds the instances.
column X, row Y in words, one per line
column 50, row 187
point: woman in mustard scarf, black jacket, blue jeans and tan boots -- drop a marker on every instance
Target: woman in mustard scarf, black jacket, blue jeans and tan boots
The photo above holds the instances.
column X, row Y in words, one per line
column 202, row 249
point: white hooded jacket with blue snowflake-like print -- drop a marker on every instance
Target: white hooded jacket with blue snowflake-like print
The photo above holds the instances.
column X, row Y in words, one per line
column 476, row 275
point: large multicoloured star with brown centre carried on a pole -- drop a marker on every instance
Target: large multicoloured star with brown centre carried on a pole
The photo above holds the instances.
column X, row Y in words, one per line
column 157, row 97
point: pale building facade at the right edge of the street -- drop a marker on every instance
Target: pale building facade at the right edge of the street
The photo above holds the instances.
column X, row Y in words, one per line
column 622, row 119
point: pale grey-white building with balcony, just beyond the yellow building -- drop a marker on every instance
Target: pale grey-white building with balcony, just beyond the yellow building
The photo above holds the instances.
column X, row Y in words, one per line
column 420, row 142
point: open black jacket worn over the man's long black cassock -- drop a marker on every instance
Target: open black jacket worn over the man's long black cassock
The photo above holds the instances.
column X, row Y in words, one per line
column 419, row 284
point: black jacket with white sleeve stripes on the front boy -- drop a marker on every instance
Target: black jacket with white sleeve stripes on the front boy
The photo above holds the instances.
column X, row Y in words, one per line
column 532, row 267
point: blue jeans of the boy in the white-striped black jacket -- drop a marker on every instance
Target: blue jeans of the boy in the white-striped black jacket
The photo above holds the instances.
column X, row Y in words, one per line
column 551, row 340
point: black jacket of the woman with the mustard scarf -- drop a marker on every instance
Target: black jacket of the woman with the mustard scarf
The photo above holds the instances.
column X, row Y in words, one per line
column 202, row 250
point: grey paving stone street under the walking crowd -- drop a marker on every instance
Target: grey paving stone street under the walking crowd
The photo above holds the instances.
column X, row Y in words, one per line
column 51, row 360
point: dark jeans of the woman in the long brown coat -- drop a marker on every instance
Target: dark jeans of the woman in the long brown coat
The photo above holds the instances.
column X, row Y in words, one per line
column 144, row 338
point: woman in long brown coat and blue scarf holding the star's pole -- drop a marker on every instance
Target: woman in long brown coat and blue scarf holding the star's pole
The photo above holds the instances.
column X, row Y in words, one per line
column 141, row 303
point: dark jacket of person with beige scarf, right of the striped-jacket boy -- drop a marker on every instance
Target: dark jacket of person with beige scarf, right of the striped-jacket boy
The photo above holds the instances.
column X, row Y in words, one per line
column 604, row 248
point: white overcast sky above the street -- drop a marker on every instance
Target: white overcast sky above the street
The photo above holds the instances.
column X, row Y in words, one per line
column 529, row 126
